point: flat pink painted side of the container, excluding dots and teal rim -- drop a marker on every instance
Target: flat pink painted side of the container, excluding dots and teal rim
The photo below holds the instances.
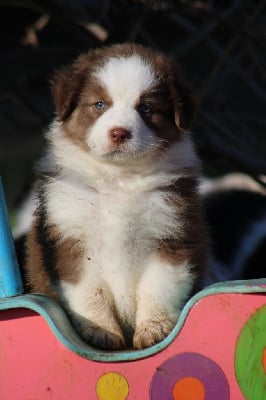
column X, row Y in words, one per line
column 34, row 365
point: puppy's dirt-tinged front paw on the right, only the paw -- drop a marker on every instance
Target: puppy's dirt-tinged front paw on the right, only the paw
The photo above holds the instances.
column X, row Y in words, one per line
column 151, row 332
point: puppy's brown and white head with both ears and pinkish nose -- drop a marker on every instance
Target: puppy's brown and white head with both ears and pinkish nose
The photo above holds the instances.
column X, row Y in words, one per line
column 123, row 103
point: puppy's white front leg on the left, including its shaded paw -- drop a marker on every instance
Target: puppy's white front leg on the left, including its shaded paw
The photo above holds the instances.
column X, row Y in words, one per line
column 92, row 311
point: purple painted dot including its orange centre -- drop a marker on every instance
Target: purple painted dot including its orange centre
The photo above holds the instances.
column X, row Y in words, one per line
column 192, row 372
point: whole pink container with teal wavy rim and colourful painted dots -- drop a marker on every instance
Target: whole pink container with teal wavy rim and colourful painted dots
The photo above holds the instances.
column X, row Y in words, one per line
column 217, row 351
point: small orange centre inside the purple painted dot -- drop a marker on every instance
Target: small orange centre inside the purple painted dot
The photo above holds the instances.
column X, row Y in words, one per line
column 189, row 388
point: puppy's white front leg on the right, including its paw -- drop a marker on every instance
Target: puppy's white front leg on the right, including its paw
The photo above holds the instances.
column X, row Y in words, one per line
column 160, row 296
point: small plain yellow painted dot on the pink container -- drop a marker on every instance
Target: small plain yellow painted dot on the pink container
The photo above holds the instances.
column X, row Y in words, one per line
column 112, row 386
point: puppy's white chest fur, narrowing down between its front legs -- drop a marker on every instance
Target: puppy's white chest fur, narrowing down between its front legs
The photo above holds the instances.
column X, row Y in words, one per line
column 117, row 228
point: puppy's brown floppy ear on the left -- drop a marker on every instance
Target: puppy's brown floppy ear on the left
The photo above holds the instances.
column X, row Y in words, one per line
column 66, row 86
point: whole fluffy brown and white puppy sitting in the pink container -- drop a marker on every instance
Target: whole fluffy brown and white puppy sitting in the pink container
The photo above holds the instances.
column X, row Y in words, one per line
column 117, row 236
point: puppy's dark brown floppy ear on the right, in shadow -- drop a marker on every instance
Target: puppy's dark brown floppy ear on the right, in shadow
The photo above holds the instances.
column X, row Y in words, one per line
column 185, row 103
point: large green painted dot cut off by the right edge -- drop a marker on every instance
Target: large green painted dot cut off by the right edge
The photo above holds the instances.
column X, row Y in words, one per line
column 250, row 356
